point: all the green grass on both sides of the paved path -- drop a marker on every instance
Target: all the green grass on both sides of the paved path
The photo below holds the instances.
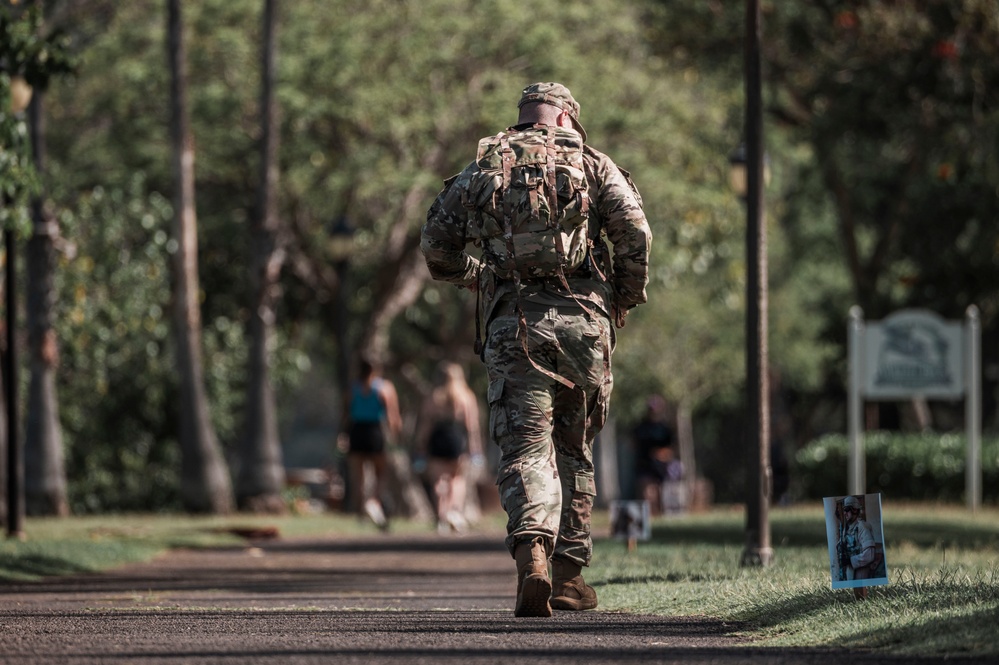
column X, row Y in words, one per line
column 943, row 567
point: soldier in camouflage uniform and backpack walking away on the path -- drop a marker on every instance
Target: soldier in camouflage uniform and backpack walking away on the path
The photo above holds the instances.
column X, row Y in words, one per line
column 548, row 331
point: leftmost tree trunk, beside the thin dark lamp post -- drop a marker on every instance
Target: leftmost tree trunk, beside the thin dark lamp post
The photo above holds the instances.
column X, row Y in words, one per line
column 44, row 468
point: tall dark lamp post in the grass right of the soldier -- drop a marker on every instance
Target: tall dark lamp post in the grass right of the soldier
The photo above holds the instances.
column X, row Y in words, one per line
column 757, row 550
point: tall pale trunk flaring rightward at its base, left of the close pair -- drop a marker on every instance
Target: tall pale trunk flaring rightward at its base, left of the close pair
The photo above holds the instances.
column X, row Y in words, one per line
column 205, row 482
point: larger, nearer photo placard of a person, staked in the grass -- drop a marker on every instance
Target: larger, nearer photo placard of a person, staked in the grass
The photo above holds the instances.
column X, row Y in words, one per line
column 856, row 540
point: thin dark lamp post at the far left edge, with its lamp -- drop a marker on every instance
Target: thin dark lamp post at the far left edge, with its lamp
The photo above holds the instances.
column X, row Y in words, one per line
column 20, row 97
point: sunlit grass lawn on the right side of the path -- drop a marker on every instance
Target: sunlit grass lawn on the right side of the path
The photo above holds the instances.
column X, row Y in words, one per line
column 942, row 596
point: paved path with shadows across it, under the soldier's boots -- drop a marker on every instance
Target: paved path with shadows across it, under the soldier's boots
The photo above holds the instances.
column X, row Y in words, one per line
column 377, row 599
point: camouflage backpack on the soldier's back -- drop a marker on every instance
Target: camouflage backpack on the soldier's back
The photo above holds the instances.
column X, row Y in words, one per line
column 528, row 203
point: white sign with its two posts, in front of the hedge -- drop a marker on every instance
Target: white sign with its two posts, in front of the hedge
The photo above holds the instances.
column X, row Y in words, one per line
column 915, row 353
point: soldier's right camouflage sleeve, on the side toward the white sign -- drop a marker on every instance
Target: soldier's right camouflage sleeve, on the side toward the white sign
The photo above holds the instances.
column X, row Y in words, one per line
column 619, row 207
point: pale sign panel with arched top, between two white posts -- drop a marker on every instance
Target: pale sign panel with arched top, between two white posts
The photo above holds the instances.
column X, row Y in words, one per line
column 913, row 353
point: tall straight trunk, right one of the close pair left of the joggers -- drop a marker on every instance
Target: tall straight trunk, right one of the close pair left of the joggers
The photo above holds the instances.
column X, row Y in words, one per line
column 261, row 473
